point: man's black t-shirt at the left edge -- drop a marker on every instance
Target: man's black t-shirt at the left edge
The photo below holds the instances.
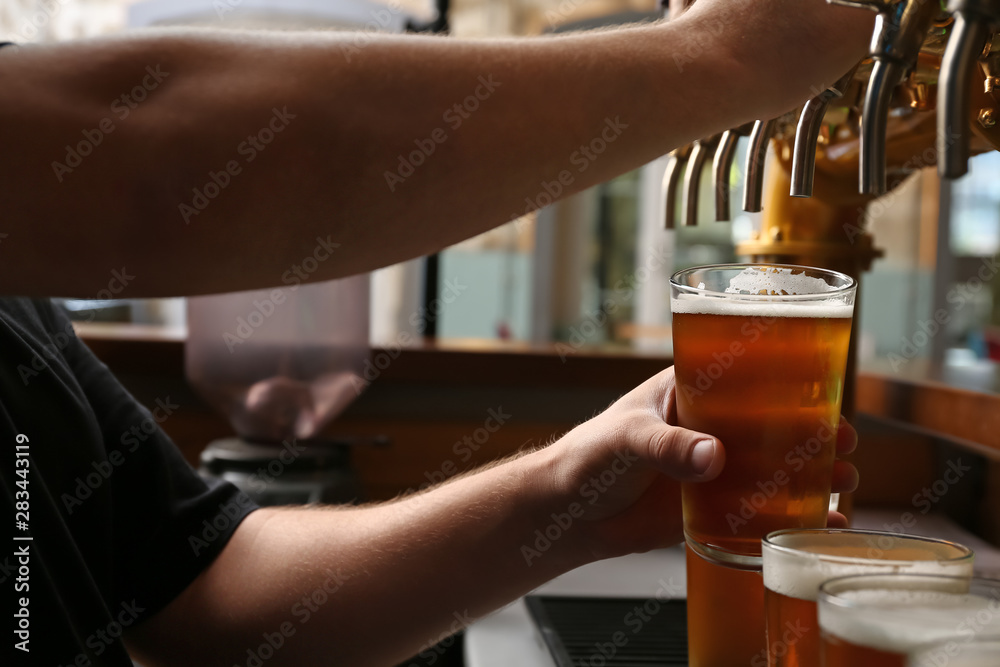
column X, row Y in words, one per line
column 119, row 523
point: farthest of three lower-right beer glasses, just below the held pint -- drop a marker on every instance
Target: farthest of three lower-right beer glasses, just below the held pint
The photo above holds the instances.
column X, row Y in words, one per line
column 797, row 562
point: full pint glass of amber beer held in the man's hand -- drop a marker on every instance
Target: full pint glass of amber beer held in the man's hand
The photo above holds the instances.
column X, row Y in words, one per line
column 759, row 355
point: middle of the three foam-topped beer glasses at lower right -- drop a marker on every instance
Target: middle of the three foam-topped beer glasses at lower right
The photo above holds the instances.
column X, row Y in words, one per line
column 881, row 619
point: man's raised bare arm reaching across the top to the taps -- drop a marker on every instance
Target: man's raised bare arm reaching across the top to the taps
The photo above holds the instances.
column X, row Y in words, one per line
column 504, row 117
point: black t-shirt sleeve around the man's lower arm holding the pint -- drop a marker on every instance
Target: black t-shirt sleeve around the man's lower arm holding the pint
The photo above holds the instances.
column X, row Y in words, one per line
column 167, row 522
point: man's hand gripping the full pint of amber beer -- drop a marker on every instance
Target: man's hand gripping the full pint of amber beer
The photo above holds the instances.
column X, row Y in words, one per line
column 637, row 445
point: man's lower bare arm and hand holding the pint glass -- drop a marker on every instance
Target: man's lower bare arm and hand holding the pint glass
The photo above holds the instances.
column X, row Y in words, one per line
column 372, row 586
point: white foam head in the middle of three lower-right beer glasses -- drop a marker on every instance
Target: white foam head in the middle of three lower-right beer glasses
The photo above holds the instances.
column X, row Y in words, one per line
column 900, row 621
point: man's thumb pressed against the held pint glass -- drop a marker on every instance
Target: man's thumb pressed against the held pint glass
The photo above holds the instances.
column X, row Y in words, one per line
column 685, row 455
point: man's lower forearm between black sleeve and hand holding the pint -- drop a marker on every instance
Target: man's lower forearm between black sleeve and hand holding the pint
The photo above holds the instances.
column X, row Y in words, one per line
column 369, row 586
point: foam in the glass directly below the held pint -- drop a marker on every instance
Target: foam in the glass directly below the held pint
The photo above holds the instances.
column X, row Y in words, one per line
column 818, row 557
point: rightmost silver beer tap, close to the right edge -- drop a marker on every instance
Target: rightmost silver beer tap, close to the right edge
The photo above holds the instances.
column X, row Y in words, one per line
column 973, row 19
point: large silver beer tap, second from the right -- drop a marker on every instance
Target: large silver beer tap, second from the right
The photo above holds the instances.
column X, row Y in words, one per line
column 899, row 32
